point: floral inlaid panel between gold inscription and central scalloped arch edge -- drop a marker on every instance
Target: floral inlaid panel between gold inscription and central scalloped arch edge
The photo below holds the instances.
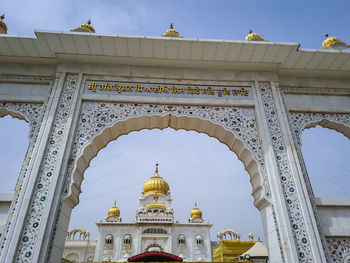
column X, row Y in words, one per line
column 95, row 117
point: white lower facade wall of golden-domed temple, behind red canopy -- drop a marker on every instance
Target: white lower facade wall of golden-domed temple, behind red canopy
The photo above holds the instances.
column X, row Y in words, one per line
column 141, row 241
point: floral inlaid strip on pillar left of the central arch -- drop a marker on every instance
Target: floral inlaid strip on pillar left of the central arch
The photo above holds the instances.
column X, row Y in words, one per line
column 31, row 229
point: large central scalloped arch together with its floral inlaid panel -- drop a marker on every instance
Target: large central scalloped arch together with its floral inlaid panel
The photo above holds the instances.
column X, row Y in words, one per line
column 101, row 123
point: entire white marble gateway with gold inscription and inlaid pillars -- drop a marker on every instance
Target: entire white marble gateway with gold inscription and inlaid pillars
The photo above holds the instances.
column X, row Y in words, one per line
column 77, row 102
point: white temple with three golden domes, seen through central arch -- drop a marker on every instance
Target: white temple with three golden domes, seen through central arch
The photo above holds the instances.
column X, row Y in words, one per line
column 154, row 230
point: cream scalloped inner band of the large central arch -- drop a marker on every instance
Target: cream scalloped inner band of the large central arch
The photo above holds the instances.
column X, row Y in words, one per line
column 161, row 121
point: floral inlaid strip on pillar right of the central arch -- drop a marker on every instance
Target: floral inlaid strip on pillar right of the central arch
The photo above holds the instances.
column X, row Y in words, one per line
column 286, row 178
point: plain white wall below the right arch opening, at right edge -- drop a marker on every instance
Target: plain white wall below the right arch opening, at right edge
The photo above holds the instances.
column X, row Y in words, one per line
column 334, row 214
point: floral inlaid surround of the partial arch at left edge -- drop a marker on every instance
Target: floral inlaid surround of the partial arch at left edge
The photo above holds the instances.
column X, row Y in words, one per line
column 33, row 114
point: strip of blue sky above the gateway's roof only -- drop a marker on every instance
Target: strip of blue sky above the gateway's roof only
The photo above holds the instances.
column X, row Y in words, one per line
column 304, row 22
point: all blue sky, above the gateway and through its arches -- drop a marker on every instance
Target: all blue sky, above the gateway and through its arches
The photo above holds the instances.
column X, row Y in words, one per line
column 197, row 167
